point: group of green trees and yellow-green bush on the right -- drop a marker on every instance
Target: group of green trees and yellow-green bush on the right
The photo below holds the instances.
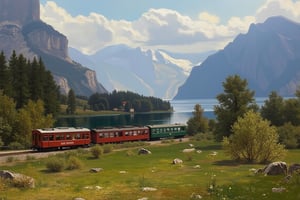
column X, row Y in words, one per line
column 249, row 132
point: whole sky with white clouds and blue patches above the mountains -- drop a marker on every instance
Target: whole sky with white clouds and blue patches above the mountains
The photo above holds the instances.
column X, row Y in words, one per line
column 191, row 26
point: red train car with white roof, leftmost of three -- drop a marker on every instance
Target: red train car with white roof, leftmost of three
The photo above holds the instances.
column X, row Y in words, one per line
column 58, row 138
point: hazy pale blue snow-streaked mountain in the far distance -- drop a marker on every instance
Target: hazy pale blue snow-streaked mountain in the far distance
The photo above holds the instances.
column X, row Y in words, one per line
column 147, row 72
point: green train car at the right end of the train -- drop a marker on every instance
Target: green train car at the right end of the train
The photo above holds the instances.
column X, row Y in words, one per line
column 167, row 131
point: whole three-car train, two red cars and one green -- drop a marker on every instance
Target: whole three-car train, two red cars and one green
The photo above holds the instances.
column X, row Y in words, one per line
column 72, row 137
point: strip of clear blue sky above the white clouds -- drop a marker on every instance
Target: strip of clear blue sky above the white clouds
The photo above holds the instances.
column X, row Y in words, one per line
column 133, row 9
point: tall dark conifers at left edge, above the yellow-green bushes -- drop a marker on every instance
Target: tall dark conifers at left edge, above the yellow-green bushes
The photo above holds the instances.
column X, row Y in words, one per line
column 23, row 80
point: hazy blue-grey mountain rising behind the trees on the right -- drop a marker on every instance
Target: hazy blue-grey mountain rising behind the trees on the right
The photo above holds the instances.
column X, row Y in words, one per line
column 268, row 56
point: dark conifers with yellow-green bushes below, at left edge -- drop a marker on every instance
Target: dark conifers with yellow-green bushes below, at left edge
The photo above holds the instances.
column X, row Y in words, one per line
column 29, row 99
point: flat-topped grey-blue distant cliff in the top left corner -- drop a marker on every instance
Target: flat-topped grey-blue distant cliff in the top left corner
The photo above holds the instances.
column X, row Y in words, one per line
column 19, row 11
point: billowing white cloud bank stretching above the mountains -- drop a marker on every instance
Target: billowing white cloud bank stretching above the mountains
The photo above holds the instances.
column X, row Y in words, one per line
column 159, row 28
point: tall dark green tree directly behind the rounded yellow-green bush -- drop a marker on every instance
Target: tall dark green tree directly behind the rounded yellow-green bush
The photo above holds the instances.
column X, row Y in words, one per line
column 236, row 100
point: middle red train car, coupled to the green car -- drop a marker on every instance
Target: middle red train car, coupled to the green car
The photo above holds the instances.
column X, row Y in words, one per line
column 115, row 135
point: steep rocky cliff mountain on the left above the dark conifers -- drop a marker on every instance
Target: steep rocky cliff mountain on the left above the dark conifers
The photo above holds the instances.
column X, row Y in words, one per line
column 22, row 30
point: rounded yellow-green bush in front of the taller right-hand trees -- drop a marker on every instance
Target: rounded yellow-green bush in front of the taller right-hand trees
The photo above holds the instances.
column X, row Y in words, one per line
column 253, row 140
